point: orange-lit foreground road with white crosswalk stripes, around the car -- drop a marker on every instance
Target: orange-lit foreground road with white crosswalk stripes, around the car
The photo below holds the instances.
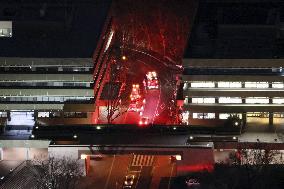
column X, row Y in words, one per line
column 149, row 171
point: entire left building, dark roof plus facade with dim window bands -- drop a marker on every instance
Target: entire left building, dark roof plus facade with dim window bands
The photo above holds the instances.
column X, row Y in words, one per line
column 46, row 64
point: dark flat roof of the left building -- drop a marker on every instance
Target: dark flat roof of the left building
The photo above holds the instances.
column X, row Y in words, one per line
column 53, row 28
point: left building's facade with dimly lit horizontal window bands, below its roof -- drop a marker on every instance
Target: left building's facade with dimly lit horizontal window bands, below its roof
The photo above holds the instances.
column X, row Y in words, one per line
column 46, row 90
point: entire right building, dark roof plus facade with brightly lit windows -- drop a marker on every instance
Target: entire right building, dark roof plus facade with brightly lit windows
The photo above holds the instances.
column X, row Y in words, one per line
column 233, row 65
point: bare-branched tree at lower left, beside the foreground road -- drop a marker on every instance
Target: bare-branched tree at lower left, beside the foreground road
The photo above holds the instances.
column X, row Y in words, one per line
column 56, row 173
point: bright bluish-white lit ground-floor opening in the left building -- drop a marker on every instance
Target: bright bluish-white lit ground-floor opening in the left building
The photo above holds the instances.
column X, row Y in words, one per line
column 21, row 118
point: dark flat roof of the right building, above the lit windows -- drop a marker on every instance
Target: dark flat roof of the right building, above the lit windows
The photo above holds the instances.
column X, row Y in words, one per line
column 242, row 29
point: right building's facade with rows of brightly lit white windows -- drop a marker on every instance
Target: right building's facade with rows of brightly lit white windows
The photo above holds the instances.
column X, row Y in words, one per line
column 252, row 89
